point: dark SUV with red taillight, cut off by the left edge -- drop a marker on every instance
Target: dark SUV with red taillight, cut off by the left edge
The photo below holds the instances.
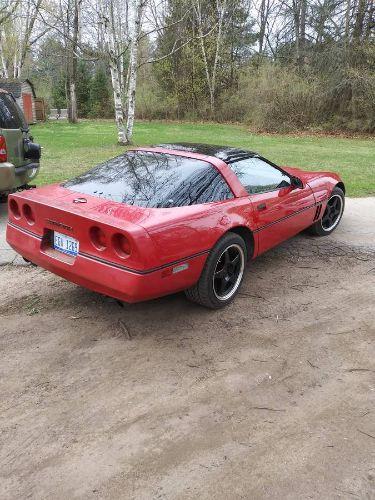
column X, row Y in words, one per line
column 19, row 155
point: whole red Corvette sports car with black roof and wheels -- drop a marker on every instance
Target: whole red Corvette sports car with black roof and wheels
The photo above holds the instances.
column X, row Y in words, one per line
column 157, row 220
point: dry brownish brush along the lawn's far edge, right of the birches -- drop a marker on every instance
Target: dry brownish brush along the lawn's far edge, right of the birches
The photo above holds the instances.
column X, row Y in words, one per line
column 276, row 97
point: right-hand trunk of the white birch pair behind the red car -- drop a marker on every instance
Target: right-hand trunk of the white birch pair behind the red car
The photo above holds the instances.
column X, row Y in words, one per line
column 137, row 10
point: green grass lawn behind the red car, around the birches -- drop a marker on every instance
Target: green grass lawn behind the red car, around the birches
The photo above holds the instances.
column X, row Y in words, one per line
column 71, row 149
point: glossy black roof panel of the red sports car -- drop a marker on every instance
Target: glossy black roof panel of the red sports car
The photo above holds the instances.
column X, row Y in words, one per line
column 225, row 153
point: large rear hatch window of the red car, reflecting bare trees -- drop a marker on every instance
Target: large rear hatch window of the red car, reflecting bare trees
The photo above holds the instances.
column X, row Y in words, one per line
column 154, row 180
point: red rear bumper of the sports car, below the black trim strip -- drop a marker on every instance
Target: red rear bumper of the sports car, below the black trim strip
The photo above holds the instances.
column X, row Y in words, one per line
column 106, row 278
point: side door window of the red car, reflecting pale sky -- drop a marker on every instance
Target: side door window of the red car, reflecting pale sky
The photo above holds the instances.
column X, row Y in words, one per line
column 257, row 176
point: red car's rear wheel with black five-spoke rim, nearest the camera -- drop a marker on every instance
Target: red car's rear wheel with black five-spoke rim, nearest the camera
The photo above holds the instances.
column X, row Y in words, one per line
column 222, row 274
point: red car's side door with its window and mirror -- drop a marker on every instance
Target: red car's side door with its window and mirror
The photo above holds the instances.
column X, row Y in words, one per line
column 281, row 210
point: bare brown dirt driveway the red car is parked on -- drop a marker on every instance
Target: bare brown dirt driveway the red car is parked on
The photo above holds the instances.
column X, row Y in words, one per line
column 273, row 397
